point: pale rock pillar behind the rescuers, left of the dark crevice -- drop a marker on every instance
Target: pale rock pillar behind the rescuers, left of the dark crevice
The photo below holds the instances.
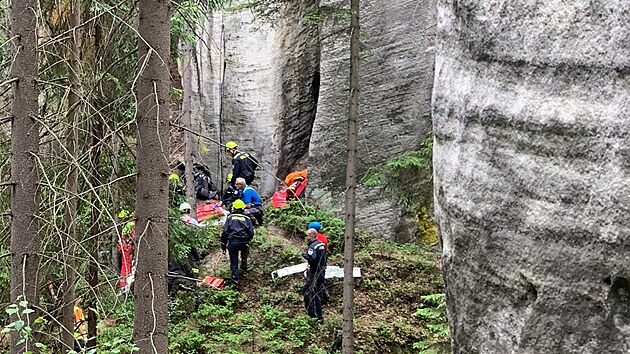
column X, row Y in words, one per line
column 257, row 84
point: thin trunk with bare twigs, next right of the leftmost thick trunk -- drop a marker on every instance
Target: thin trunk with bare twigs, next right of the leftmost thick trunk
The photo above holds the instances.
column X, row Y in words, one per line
column 69, row 246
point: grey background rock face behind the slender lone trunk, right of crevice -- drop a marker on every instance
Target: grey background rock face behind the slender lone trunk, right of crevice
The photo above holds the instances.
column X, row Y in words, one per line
column 396, row 79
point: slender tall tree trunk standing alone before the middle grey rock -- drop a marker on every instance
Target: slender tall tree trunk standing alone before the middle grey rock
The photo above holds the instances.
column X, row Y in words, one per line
column 351, row 184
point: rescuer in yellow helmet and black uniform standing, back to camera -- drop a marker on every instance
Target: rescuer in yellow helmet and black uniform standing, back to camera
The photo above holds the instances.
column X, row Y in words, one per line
column 237, row 232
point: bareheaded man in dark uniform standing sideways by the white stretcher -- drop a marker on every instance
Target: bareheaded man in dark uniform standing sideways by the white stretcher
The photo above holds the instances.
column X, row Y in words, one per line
column 316, row 256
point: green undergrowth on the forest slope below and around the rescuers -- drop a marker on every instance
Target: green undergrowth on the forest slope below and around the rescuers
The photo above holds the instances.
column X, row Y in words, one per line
column 399, row 302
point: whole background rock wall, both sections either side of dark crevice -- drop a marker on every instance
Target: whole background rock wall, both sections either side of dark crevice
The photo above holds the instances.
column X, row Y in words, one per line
column 261, row 85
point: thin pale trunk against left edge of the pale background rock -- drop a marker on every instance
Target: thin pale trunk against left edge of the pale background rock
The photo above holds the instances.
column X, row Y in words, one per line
column 186, row 122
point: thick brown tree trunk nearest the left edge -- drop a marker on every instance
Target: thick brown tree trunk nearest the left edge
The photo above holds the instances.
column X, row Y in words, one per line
column 24, row 171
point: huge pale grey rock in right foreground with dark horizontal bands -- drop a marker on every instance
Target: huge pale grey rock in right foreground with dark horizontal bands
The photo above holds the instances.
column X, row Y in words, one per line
column 532, row 162
